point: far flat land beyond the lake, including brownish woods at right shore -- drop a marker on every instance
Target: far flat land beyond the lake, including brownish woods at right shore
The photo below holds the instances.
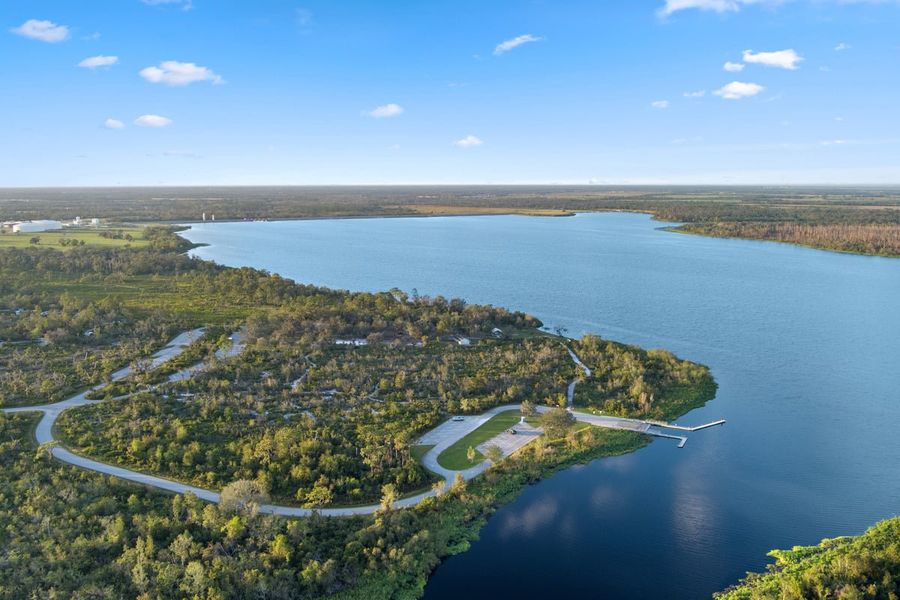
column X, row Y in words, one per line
column 851, row 219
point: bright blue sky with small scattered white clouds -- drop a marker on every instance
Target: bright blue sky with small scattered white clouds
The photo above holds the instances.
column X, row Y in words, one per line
column 229, row 92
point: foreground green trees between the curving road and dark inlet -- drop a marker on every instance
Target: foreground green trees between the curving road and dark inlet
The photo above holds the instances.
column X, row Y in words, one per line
column 68, row 533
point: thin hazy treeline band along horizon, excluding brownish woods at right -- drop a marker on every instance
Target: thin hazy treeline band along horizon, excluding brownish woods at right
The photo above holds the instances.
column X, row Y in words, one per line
column 689, row 204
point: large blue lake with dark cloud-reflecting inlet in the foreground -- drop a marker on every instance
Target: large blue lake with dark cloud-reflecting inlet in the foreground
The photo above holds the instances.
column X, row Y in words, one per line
column 805, row 346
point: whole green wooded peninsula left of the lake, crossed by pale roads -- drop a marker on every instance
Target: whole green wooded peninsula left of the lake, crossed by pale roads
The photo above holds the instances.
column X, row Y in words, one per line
column 296, row 416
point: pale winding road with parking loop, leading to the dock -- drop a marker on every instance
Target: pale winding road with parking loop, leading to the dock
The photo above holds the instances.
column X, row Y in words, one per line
column 443, row 436
